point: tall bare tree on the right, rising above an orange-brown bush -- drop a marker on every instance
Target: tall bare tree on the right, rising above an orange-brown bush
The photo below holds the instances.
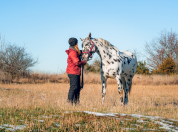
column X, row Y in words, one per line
column 166, row 46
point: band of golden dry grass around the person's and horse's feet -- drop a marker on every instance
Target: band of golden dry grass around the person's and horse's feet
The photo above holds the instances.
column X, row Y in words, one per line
column 159, row 100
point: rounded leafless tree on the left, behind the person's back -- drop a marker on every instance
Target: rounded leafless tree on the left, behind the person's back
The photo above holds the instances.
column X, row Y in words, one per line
column 15, row 60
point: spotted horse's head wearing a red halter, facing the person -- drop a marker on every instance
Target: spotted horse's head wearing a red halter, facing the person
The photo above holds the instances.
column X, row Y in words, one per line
column 88, row 48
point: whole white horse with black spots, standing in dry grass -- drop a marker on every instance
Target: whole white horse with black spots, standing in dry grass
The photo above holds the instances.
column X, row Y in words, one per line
column 119, row 65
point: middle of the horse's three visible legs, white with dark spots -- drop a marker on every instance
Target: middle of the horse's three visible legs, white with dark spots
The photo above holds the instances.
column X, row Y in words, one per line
column 120, row 89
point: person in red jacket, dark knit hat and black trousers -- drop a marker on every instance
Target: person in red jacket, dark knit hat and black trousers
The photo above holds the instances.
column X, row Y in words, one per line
column 74, row 70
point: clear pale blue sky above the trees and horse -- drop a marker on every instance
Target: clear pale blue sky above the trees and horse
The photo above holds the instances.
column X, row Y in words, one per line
column 44, row 26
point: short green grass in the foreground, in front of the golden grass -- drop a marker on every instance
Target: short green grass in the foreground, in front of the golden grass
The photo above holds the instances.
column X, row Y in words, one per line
column 40, row 119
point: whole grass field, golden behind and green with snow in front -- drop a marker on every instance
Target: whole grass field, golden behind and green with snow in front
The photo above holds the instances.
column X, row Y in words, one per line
column 29, row 107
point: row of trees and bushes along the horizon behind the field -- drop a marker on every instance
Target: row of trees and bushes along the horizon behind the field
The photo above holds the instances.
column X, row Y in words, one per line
column 161, row 58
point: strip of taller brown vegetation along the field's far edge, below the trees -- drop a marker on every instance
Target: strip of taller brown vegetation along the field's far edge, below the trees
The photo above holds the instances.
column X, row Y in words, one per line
column 90, row 78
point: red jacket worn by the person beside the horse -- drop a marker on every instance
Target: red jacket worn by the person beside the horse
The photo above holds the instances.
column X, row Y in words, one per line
column 74, row 62
